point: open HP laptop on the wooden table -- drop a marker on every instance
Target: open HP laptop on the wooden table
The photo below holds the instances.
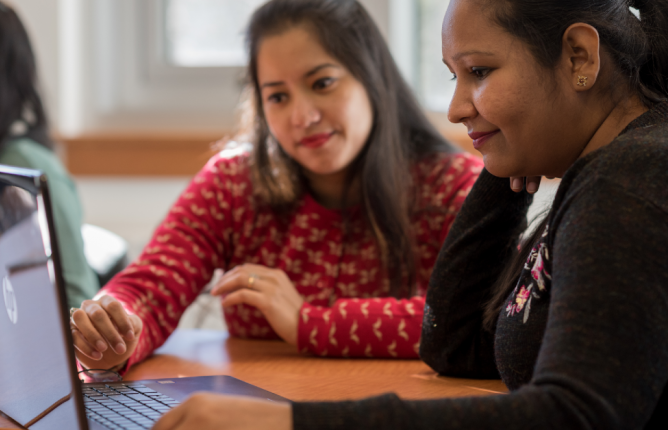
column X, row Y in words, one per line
column 39, row 380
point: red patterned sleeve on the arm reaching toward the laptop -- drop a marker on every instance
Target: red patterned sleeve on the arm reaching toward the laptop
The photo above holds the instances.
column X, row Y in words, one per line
column 179, row 260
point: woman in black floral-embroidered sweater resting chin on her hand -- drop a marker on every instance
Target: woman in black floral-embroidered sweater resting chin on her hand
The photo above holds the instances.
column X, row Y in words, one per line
column 576, row 323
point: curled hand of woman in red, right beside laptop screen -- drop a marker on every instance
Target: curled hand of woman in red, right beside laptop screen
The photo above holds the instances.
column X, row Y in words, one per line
column 104, row 334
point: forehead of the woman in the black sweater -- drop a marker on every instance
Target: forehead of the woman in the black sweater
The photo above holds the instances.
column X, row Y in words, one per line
column 467, row 27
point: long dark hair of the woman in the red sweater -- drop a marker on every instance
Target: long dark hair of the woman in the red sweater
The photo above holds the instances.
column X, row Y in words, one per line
column 400, row 133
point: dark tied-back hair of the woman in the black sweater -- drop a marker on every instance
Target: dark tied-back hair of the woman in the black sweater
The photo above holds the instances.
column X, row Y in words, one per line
column 638, row 49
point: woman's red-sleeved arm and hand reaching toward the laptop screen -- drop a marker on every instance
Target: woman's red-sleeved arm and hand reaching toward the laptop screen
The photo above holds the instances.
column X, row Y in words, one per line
column 173, row 268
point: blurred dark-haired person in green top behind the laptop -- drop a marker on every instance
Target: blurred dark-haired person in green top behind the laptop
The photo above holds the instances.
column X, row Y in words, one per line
column 25, row 142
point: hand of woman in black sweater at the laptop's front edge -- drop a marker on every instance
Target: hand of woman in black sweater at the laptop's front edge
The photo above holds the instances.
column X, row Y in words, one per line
column 205, row 411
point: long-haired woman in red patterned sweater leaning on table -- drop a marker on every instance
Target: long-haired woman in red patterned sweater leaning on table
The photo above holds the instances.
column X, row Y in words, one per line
column 327, row 228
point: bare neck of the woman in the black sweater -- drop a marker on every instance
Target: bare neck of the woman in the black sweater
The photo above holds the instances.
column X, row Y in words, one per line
column 619, row 117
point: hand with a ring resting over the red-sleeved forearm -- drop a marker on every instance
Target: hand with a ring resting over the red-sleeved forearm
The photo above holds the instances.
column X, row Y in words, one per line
column 269, row 290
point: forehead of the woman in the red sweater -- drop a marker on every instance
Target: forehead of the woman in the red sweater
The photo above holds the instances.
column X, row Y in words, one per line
column 290, row 54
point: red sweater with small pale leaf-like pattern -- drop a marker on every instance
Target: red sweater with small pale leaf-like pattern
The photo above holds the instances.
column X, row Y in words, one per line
column 347, row 311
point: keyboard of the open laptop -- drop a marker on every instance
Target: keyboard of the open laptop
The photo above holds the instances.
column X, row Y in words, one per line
column 125, row 406
